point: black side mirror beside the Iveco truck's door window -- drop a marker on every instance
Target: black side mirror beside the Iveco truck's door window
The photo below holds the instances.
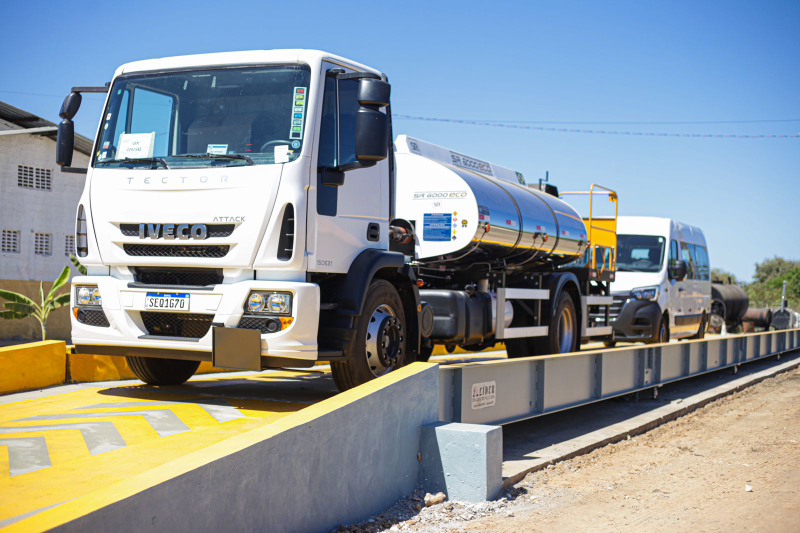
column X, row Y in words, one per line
column 372, row 125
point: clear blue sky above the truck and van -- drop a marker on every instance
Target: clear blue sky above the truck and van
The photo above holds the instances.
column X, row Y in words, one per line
column 590, row 62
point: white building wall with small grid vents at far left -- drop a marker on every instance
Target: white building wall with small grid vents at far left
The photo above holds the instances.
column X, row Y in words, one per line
column 32, row 211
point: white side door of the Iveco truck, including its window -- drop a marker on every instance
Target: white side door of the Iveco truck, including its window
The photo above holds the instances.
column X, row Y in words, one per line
column 354, row 216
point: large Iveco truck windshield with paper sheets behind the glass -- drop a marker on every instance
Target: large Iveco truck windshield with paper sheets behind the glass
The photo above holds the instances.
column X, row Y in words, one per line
column 216, row 117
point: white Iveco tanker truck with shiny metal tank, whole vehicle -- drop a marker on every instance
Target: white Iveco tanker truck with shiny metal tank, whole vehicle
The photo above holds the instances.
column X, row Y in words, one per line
column 249, row 209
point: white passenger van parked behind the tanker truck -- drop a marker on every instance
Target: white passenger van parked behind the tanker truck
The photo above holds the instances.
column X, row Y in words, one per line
column 663, row 281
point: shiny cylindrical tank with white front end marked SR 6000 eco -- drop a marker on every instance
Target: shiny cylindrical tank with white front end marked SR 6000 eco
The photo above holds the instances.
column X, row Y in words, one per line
column 466, row 211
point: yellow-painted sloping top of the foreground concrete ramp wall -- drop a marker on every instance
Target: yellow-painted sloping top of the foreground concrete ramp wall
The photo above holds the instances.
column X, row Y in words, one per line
column 115, row 492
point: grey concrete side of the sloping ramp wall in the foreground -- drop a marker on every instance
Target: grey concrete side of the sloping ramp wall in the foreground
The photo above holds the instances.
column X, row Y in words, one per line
column 343, row 466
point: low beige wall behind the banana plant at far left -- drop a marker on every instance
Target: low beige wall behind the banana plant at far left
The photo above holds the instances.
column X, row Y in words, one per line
column 58, row 325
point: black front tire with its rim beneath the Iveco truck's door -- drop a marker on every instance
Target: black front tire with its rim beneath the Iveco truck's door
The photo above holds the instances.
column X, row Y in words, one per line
column 382, row 314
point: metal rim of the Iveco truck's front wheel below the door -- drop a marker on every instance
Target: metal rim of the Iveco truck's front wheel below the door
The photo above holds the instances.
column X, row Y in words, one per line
column 383, row 340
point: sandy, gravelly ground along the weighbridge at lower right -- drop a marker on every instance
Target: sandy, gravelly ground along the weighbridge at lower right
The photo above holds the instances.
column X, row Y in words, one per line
column 731, row 466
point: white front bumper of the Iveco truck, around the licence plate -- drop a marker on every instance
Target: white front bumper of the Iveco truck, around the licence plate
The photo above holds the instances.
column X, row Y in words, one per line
column 221, row 305
